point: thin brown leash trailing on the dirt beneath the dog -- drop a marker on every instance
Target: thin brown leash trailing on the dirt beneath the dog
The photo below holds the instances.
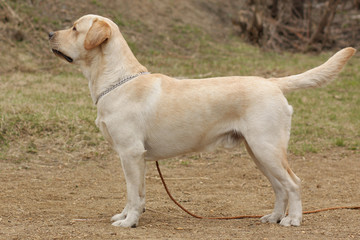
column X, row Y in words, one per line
column 236, row 217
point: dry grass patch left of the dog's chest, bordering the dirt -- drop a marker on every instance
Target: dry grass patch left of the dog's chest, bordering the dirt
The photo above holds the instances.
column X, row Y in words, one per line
column 42, row 112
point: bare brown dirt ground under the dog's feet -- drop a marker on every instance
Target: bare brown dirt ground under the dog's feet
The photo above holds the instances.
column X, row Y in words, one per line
column 47, row 199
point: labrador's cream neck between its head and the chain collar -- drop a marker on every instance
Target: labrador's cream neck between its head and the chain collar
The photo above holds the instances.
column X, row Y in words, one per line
column 108, row 63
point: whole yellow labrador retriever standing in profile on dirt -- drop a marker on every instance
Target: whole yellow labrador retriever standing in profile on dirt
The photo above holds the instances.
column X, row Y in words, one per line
column 149, row 117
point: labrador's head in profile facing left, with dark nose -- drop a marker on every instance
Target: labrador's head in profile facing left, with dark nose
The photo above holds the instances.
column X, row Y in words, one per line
column 88, row 33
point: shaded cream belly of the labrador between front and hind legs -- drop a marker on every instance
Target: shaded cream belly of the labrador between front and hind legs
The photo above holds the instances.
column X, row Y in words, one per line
column 171, row 141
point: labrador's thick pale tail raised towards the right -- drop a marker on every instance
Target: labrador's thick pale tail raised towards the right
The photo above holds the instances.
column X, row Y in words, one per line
column 318, row 76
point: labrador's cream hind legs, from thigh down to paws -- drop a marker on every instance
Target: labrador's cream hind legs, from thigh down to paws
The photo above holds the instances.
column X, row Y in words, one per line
column 267, row 134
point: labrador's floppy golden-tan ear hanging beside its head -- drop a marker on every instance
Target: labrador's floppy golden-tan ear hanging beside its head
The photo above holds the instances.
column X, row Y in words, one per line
column 99, row 32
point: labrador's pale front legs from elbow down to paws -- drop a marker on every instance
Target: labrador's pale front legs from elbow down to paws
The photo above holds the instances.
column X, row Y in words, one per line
column 134, row 166
